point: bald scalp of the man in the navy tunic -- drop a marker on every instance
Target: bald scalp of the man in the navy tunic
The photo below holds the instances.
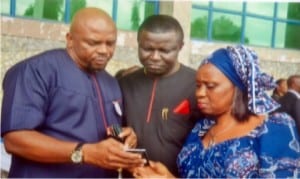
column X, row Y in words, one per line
column 89, row 15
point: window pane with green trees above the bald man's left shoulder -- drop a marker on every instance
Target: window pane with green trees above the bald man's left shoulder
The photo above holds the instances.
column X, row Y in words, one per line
column 41, row 9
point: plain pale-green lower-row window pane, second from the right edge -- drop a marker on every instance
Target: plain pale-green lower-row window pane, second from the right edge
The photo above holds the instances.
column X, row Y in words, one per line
column 258, row 31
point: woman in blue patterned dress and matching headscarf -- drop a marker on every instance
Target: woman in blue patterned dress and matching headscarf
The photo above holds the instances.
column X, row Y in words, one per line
column 239, row 137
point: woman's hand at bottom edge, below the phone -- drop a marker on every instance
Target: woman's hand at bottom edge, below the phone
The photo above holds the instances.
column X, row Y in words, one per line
column 154, row 170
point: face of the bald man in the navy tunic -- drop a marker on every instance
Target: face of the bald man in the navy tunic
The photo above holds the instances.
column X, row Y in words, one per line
column 92, row 44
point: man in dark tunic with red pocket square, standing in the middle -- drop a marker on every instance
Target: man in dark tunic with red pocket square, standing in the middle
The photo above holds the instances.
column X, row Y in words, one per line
column 159, row 99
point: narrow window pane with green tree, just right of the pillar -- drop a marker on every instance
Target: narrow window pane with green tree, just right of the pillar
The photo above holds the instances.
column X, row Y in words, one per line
column 199, row 24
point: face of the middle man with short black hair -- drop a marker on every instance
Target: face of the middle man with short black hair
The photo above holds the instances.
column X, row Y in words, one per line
column 158, row 52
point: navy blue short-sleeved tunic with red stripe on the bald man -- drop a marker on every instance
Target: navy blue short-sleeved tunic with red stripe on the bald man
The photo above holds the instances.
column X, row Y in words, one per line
column 50, row 94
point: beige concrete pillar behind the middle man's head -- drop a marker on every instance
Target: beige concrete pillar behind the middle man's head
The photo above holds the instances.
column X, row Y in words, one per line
column 181, row 10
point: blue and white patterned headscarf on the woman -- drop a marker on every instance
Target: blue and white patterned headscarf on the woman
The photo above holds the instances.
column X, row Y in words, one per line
column 240, row 65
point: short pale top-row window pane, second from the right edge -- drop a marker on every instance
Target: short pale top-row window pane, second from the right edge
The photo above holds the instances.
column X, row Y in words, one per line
column 258, row 8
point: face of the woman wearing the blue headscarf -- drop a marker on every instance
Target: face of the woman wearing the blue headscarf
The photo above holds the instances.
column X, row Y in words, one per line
column 214, row 92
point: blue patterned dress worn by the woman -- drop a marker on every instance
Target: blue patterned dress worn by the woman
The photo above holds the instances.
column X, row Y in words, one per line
column 271, row 150
